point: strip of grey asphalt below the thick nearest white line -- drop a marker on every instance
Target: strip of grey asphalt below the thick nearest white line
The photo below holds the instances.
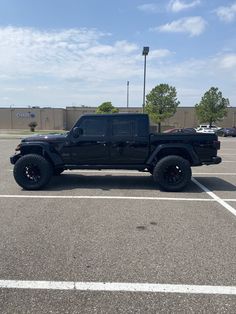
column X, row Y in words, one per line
column 112, row 302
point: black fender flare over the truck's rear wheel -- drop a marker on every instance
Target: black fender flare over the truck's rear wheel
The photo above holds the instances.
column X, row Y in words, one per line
column 194, row 159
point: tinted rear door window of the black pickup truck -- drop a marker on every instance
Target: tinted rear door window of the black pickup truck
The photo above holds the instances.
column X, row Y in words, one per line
column 123, row 127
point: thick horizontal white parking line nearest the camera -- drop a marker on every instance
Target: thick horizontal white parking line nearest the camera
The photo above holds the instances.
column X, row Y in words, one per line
column 117, row 286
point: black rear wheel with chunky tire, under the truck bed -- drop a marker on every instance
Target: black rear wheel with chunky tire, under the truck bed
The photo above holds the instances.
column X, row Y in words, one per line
column 172, row 173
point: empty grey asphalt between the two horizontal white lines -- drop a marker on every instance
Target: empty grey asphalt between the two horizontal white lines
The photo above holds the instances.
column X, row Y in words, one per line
column 127, row 241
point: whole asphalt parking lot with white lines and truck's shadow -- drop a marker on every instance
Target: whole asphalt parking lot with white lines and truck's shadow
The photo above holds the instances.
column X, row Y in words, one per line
column 111, row 242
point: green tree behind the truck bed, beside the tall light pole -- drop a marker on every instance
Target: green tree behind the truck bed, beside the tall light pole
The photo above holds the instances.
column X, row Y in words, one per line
column 161, row 103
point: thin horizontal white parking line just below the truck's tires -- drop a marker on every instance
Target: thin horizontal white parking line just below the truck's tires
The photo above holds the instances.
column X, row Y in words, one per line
column 108, row 197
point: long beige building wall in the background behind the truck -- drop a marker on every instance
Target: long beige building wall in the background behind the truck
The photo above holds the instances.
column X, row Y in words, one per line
column 59, row 119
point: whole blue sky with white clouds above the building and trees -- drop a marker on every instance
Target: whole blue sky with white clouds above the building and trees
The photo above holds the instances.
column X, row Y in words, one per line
column 69, row 52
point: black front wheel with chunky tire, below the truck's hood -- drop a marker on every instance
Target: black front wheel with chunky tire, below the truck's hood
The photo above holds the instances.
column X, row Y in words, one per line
column 32, row 172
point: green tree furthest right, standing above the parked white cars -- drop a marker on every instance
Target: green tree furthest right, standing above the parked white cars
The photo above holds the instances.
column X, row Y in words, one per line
column 212, row 107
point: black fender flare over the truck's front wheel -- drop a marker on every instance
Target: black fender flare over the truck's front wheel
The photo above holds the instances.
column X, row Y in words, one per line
column 46, row 150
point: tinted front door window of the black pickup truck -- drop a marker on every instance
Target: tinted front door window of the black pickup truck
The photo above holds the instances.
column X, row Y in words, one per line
column 93, row 126
